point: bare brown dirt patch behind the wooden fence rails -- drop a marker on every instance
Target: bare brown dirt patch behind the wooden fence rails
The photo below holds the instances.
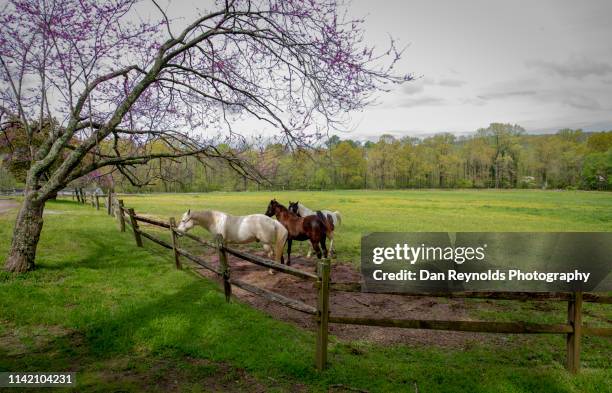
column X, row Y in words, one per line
column 353, row 304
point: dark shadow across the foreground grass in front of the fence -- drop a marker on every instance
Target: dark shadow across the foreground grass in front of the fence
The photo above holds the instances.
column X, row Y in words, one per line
column 196, row 323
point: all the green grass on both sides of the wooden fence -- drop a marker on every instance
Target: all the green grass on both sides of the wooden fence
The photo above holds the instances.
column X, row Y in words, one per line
column 125, row 320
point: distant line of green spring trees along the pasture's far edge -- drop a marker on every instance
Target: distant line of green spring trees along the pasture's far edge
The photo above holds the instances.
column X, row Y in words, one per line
column 499, row 156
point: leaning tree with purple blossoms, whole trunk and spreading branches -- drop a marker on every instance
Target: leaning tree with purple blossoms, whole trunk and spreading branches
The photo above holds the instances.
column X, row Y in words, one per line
column 119, row 86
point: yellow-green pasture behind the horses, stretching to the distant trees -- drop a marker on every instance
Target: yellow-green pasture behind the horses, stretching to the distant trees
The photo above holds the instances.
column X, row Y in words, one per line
column 408, row 211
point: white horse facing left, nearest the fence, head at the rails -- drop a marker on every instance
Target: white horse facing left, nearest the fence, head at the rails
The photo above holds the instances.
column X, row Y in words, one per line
column 240, row 229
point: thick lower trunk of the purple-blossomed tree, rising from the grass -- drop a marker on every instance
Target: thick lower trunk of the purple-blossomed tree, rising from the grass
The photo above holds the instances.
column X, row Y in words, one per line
column 25, row 236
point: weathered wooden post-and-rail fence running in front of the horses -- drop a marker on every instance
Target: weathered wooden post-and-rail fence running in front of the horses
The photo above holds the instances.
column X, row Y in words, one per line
column 574, row 329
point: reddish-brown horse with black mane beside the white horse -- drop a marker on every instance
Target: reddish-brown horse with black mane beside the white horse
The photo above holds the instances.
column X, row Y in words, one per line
column 313, row 228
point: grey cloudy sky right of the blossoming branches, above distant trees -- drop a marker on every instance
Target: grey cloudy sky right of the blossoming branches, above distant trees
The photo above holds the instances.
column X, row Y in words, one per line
column 542, row 64
